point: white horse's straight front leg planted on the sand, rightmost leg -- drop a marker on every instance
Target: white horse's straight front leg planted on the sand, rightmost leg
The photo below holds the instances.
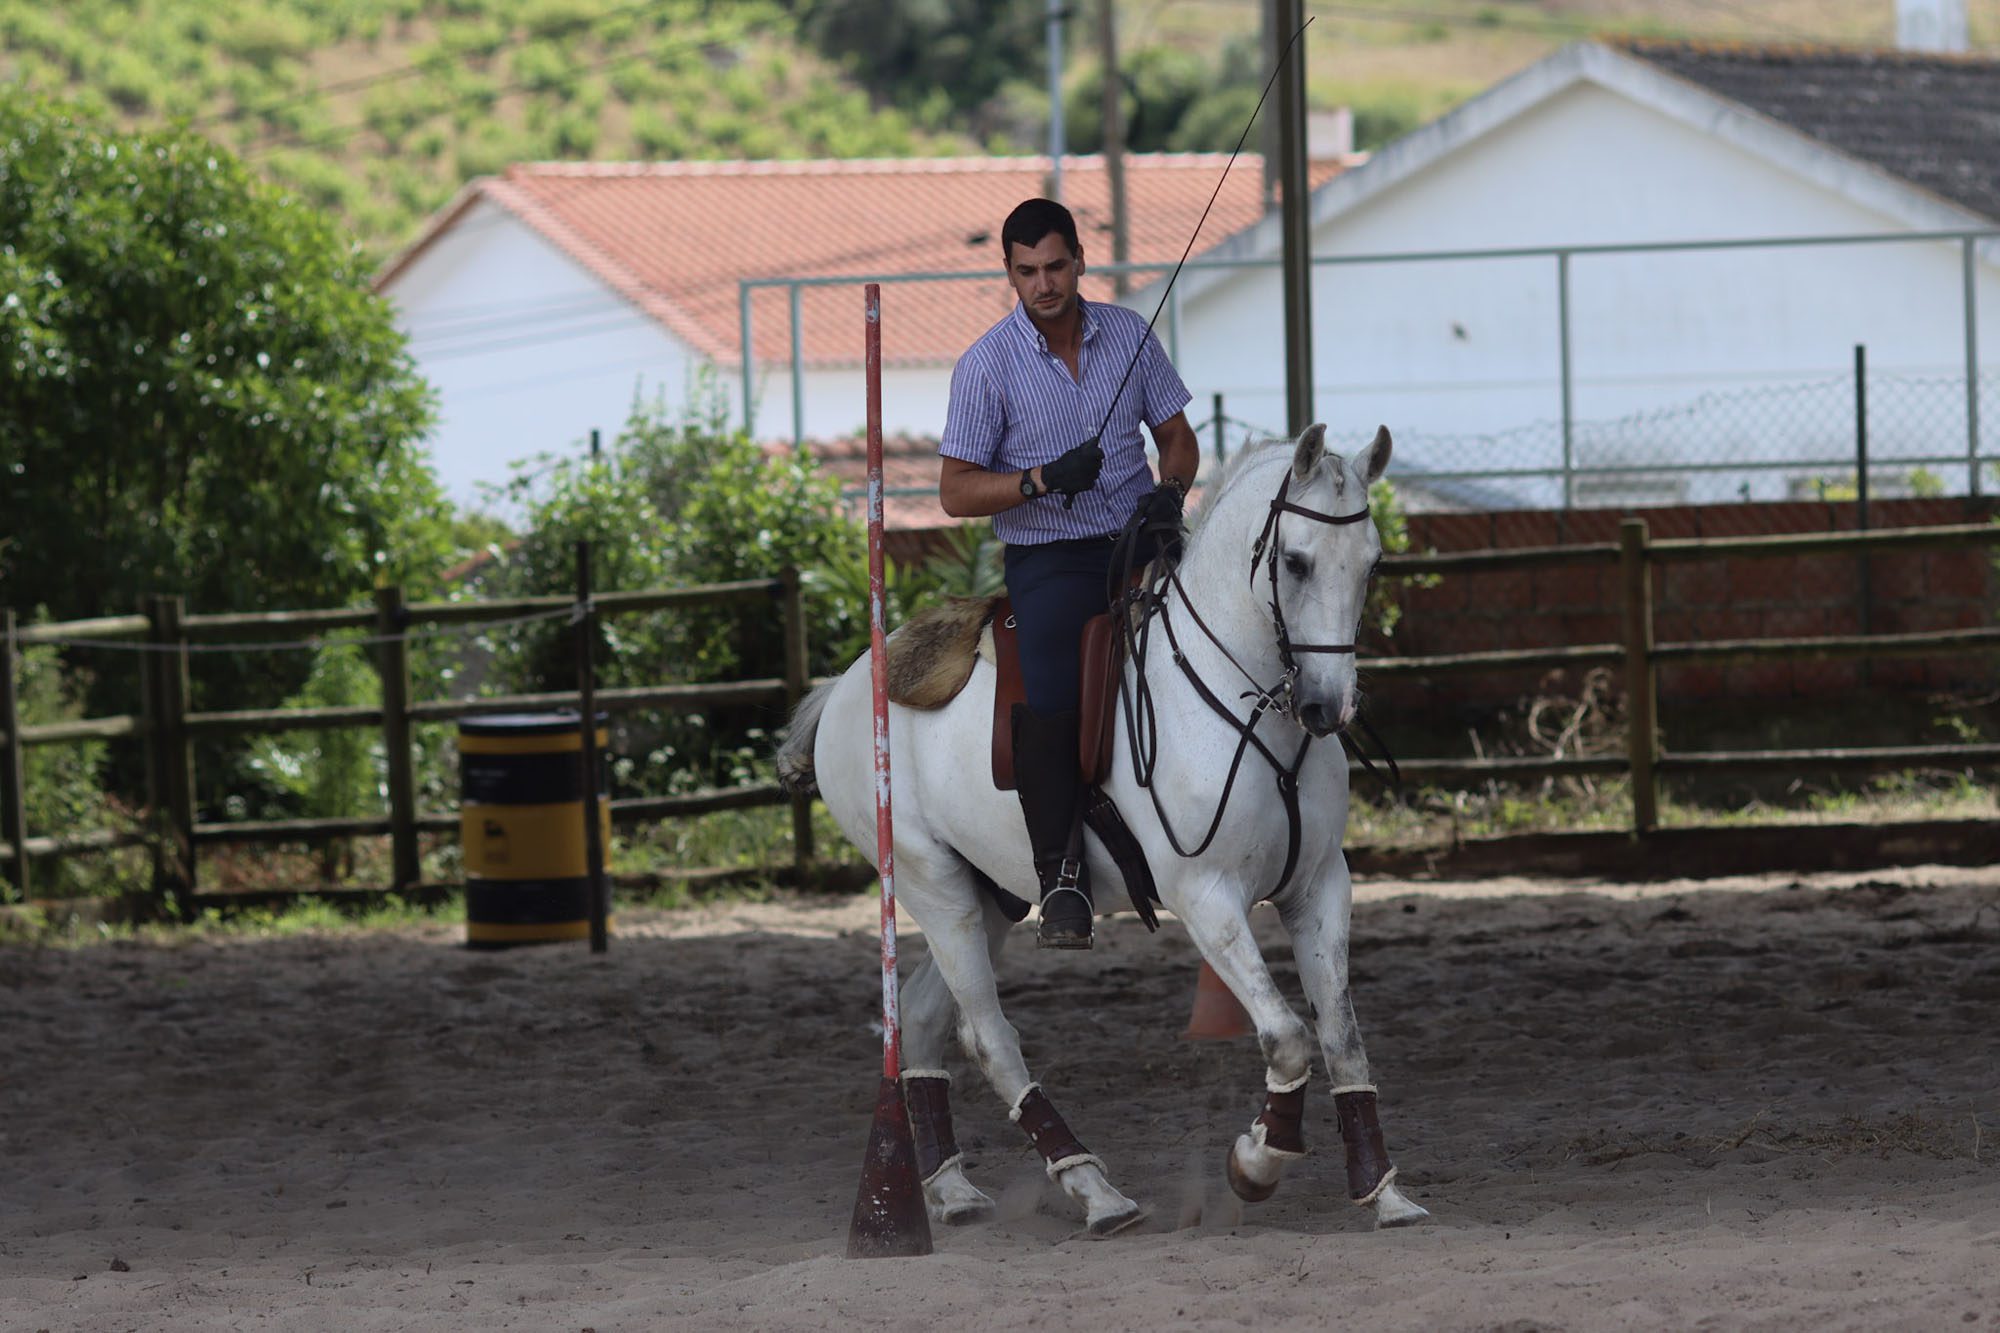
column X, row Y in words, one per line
column 1317, row 916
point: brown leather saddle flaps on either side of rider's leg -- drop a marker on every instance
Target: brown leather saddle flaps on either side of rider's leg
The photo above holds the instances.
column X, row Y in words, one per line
column 1099, row 663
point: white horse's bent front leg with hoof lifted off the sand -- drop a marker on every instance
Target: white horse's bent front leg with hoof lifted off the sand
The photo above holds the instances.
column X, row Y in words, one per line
column 1277, row 1136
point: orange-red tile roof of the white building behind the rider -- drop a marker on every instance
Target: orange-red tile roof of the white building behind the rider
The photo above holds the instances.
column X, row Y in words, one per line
column 677, row 237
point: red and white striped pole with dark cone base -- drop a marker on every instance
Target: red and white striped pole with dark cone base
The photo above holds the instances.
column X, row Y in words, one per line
column 889, row 1214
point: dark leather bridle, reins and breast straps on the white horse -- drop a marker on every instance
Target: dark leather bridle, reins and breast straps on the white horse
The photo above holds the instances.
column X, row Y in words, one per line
column 1139, row 607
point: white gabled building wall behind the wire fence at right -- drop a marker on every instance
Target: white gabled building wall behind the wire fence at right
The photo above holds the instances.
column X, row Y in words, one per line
column 1749, row 353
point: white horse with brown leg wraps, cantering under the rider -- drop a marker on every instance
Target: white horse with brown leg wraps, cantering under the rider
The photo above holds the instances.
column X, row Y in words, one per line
column 1255, row 635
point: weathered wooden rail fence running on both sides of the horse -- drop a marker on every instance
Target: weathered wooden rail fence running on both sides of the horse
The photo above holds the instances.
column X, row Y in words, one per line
column 169, row 728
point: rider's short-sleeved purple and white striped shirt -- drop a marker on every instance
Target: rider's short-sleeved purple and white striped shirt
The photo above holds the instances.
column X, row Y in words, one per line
column 1015, row 407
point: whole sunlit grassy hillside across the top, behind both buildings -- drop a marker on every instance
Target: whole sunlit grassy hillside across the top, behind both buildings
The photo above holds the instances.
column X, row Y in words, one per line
column 381, row 109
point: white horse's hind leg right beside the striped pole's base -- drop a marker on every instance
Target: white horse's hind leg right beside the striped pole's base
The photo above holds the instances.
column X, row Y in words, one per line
column 929, row 1014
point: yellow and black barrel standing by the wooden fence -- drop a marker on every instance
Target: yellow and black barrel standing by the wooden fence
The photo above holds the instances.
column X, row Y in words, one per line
column 521, row 822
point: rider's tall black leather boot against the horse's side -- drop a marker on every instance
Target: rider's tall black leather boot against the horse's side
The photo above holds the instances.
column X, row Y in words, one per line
column 1051, row 784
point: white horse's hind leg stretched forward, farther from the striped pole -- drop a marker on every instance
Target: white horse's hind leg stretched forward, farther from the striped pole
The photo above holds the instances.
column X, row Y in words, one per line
column 967, row 964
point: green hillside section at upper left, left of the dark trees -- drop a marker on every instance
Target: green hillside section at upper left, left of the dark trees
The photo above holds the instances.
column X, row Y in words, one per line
column 381, row 109
